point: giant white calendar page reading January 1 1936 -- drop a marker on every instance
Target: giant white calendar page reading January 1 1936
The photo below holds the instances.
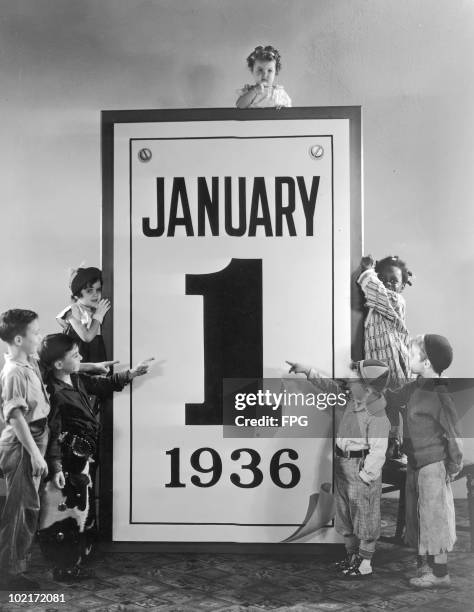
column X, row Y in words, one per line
column 231, row 255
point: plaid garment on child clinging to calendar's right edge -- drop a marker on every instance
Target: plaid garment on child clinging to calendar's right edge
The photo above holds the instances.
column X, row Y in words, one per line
column 386, row 337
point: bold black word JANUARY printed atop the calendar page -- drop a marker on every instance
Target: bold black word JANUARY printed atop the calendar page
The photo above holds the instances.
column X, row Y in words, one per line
column 214, row 201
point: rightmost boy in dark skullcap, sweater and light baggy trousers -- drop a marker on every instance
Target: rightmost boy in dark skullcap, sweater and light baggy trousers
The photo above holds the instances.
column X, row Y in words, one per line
column 434, row 450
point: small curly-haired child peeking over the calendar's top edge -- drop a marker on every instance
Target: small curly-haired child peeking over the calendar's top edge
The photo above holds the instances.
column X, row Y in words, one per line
column 264, row 63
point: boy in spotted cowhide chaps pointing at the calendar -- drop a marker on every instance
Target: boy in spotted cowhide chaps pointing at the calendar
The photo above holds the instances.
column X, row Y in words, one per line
column 67, row 514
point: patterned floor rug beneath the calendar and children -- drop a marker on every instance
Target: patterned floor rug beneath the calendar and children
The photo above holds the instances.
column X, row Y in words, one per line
column 253, row 583
